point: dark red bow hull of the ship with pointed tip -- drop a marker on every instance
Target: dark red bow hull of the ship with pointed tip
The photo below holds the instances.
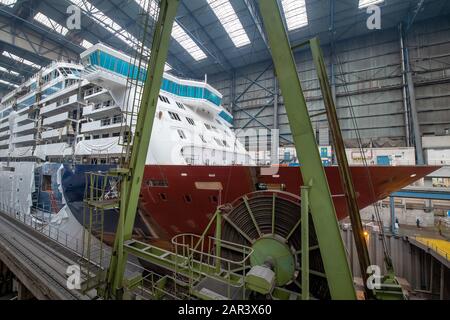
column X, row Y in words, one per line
column 172, row 204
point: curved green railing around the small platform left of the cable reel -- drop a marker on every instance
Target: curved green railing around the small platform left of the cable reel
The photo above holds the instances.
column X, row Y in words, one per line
column 217, row 268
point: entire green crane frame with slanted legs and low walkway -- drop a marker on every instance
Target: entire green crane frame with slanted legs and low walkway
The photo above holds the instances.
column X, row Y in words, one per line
column 316, row 197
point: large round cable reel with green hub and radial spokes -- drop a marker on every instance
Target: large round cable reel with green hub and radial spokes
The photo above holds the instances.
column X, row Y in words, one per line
column 270, row 223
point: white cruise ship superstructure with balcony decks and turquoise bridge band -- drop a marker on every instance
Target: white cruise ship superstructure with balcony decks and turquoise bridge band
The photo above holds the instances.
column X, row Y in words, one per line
column 75, row 112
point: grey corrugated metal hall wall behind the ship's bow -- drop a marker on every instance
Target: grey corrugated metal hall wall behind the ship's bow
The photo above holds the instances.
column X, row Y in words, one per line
column 368, row 77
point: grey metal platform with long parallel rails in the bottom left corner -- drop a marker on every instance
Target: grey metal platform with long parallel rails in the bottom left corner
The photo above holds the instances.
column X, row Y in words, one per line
column 38, row 262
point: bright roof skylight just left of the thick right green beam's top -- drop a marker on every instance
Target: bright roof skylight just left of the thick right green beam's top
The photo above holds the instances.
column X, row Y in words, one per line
column 230, row 21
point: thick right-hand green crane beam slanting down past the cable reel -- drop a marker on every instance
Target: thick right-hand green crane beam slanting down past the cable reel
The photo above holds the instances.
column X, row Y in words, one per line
column 340, row 280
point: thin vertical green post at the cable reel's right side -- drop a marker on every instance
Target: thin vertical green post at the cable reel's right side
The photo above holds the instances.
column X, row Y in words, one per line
column 305, row 242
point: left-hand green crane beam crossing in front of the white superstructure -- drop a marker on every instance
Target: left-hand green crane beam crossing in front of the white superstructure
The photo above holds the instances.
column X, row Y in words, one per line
column 132, row 178
